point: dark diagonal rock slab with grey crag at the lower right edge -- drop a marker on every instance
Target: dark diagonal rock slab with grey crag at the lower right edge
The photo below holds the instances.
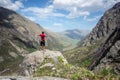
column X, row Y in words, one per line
column 108, row 53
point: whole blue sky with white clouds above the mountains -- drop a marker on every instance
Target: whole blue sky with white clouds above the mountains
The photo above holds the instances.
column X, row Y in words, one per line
column 60, row 15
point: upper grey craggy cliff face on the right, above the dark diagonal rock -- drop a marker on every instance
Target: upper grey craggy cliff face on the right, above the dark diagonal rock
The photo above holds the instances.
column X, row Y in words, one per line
column 104, row 27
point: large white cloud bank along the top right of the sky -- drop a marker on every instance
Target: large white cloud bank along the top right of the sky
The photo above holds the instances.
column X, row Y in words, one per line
column 77, row 8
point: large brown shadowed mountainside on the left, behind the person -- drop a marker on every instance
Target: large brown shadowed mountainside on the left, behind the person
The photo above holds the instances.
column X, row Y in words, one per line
column 19, row 36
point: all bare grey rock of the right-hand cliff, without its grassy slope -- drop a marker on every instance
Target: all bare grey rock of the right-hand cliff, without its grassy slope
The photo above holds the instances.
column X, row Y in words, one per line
column 107, row 30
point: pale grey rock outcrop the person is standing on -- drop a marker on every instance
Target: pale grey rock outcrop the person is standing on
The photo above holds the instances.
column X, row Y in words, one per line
column 34, row 60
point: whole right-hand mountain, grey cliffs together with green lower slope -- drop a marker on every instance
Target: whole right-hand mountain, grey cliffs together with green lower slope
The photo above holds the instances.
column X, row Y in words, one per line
column 101, row 47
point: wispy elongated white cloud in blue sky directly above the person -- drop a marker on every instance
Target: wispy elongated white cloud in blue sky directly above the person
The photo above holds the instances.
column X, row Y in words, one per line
column 43, row 12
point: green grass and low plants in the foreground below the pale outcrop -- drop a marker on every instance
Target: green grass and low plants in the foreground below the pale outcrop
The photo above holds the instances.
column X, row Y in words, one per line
column 63, row 70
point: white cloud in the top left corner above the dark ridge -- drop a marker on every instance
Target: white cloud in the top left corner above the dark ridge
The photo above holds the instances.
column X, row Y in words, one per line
column 10, row 4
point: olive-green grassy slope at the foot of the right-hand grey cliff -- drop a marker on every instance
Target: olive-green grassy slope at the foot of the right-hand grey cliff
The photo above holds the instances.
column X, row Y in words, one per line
column 76, row 55
